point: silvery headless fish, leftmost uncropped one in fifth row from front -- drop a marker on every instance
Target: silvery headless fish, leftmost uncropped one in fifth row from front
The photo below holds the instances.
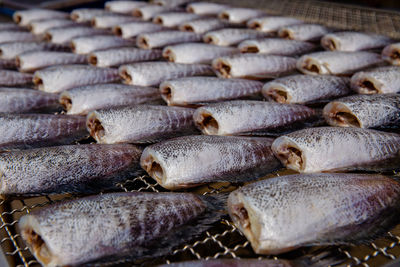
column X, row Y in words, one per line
column 59, row 78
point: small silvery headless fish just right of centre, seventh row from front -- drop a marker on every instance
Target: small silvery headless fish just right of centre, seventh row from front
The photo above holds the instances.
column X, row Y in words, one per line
column 232, row 36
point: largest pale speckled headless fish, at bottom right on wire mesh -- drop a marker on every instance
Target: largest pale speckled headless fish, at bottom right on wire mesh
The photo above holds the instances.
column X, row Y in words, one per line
column 283, row 213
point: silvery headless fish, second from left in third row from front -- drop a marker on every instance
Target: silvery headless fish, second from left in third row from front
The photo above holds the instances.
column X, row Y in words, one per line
column 139, row 124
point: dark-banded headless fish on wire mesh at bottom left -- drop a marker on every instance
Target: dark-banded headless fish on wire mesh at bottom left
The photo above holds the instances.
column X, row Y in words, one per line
column 116, row 225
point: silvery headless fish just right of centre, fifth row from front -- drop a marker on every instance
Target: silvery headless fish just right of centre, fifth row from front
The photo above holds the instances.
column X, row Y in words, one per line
column 255, row 66
